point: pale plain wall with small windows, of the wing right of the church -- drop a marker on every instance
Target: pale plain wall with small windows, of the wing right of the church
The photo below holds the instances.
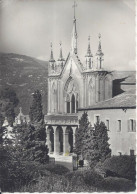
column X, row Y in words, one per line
column 120, row 141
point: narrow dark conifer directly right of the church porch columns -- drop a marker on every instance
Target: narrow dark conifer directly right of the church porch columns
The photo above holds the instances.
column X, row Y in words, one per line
column 83, row 125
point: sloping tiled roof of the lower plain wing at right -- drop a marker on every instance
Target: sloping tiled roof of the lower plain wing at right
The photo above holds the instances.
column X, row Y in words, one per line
column 124, row 100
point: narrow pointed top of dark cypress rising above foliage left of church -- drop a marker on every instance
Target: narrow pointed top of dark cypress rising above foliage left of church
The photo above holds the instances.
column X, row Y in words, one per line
column 35, row 113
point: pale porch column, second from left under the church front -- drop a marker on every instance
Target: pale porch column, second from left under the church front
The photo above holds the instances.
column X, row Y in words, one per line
column 56, row 141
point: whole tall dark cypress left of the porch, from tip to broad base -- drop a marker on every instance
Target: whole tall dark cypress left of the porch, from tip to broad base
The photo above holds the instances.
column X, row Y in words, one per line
column 35, row 136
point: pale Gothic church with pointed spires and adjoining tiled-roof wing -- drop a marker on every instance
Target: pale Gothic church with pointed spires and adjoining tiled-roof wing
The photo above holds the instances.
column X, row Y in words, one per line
column 74, row 87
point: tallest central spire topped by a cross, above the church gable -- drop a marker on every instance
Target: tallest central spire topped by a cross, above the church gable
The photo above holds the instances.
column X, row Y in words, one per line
column 74, row 33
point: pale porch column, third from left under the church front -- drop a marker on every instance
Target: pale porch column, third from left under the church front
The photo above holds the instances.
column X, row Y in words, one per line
column 66, row 146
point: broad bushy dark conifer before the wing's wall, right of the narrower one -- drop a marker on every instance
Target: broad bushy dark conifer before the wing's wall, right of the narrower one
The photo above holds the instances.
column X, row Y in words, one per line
column 96, row 143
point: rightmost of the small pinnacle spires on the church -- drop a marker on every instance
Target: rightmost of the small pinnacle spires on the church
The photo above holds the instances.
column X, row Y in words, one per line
column 99, row 54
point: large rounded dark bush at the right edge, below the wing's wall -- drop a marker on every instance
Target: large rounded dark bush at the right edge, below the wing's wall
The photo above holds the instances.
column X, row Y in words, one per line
column 119, row 166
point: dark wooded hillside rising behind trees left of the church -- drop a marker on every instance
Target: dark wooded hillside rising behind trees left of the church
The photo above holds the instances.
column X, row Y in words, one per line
column 24, row 74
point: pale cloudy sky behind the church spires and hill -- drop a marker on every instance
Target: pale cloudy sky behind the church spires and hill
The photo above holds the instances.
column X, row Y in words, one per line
column 29, row 26
